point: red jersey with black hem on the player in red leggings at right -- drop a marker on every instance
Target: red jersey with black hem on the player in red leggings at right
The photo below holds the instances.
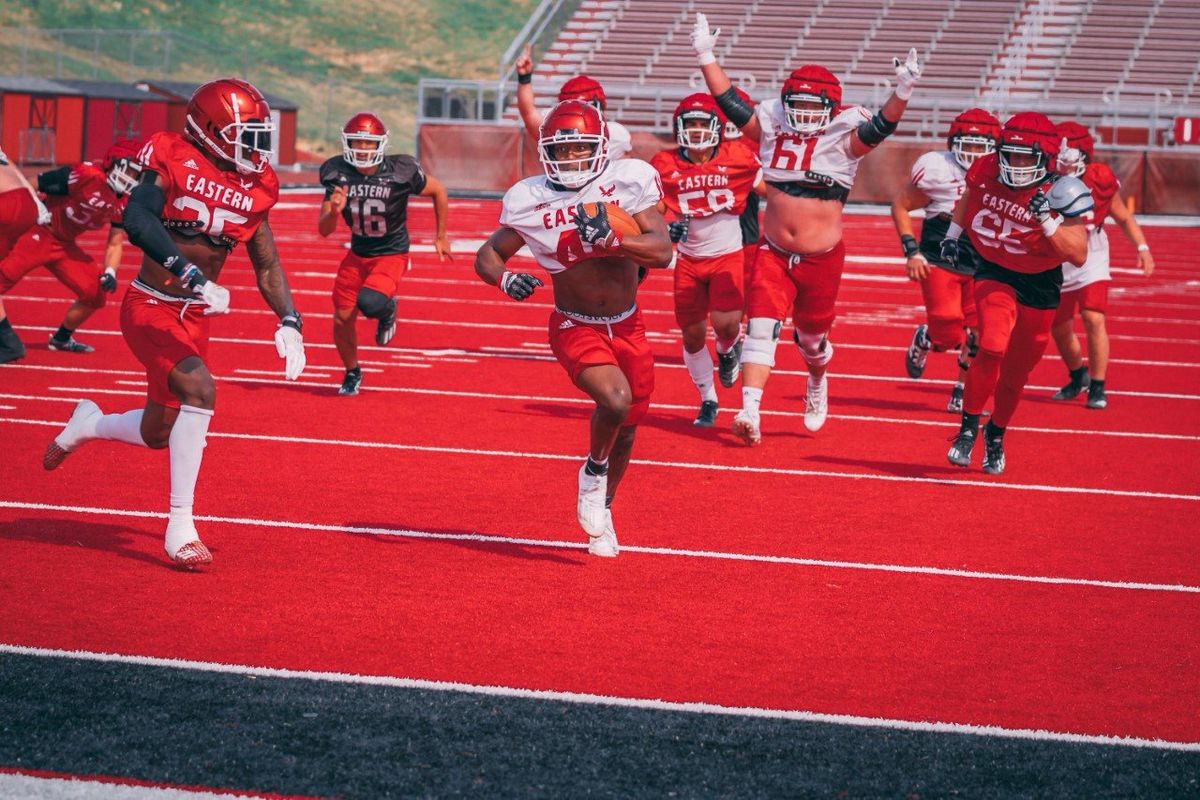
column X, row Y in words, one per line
column 1000, row 225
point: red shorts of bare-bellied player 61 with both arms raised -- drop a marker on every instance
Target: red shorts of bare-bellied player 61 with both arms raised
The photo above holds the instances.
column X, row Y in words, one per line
column 805, row 285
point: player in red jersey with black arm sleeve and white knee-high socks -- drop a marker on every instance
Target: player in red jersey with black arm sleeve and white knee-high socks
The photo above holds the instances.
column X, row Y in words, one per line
column 202, row 194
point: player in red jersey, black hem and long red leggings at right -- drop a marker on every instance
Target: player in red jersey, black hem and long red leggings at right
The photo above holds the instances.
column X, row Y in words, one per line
column 1024, row 222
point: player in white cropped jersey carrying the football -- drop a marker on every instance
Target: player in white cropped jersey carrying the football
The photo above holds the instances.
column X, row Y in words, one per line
column 596, row 329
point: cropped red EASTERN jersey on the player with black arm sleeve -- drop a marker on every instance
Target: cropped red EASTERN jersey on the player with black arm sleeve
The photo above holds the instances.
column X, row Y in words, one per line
column 202, row 199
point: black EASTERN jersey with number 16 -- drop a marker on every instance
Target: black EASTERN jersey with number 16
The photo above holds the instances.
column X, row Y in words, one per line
column 377, row 206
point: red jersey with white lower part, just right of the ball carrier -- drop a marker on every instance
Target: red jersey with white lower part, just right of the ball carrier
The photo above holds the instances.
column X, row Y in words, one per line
column 712, row 194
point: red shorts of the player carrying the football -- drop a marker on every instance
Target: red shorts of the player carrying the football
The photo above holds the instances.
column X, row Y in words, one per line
column 579, row 346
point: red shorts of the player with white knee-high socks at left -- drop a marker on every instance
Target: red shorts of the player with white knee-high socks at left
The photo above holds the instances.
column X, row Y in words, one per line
column 163, row 333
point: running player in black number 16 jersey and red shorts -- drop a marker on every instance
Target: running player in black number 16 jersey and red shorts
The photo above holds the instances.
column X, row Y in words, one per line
column 370, row 191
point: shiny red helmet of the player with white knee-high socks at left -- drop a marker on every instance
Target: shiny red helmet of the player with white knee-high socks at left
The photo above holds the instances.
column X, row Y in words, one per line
column 233, row 122
